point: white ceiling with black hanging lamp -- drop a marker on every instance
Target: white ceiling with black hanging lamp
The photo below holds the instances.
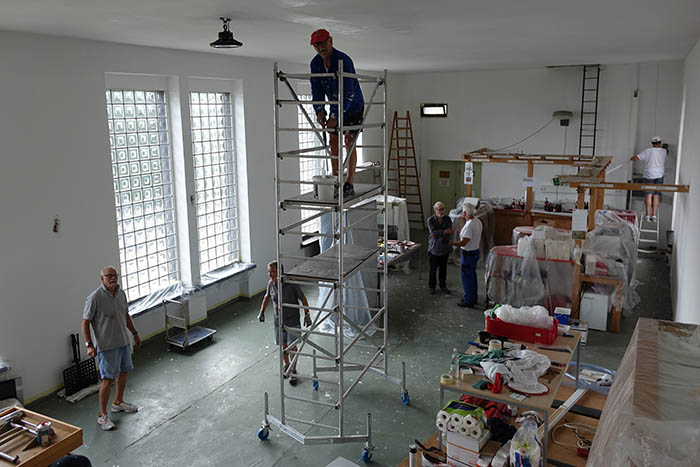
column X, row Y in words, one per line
column 399, row 35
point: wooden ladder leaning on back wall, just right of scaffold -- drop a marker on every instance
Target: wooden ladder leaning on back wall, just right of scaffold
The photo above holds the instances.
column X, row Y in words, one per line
column 403, row 169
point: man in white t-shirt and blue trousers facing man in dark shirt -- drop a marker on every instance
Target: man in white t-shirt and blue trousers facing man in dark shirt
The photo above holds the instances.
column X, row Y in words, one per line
column 469, row 240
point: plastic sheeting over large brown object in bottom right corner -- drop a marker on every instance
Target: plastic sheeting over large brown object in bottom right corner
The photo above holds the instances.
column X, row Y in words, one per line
column 652, row 414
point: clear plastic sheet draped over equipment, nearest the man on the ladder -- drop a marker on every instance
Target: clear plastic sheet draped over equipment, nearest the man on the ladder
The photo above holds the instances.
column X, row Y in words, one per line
column 613, row 244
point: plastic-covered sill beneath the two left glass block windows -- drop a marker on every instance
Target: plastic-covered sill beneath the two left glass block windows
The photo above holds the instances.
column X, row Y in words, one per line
column 178, row 291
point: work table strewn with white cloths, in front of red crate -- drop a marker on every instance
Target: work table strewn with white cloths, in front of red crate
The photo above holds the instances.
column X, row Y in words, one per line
column 541, row 404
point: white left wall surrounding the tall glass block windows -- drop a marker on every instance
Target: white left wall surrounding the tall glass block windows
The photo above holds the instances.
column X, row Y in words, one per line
column 55, row 161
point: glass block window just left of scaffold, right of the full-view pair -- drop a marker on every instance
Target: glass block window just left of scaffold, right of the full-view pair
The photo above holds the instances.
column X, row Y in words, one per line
column 215, row 179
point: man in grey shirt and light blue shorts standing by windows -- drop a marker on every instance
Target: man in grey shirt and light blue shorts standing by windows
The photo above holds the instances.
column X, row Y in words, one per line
column 107, row 310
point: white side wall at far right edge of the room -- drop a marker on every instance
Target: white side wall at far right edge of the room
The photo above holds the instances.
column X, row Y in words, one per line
column 685, row 267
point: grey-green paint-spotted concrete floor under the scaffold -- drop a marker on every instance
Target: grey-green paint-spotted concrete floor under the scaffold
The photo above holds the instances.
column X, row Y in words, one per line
column 204, row 407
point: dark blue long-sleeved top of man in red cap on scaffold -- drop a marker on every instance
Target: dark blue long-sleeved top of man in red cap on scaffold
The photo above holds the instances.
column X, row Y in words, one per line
column 327, row 87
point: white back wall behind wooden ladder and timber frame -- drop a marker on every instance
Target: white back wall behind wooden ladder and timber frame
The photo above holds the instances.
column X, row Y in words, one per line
column 497, row 108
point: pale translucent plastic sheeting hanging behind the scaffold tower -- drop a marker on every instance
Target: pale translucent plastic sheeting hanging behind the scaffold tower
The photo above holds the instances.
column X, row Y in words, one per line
column 351, row 297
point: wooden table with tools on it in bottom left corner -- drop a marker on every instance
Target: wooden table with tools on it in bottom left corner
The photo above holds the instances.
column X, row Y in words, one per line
column 68, row 438
